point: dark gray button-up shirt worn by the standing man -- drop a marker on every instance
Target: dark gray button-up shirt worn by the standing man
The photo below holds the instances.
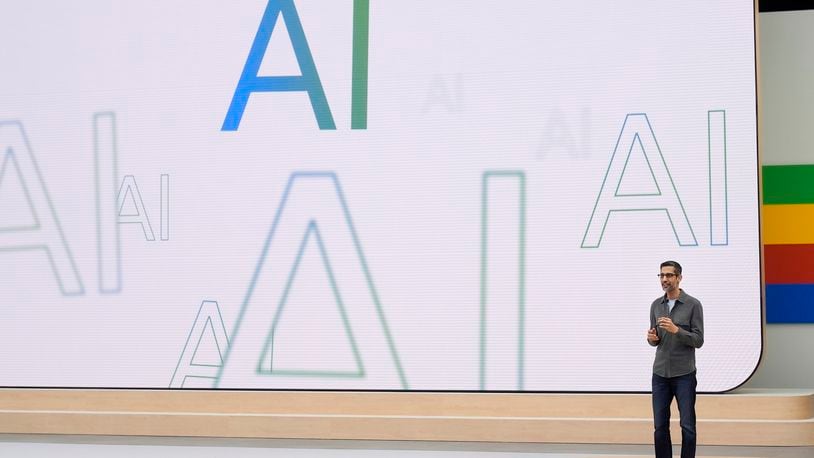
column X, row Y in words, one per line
column 675, row 354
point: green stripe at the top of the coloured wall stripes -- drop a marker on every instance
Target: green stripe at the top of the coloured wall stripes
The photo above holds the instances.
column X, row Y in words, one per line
column 788, row 184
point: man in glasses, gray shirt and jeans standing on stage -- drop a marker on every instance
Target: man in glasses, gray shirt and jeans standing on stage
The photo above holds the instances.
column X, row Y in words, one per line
column 676, row 330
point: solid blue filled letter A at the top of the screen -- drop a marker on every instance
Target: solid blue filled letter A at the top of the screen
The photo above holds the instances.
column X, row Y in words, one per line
column 309, row 81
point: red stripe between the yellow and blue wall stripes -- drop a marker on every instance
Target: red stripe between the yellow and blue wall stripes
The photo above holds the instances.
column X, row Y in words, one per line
column 788, row 264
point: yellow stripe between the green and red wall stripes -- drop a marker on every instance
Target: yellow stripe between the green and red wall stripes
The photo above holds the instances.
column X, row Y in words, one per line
column 788, row 224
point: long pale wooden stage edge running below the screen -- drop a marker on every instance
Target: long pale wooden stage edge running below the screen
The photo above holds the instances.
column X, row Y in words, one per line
column 744, row 418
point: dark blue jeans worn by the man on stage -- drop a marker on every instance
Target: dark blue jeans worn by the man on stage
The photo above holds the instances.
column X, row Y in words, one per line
column 683, row 388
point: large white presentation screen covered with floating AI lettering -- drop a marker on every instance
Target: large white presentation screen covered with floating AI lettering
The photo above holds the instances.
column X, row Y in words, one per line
column 373, row 194
